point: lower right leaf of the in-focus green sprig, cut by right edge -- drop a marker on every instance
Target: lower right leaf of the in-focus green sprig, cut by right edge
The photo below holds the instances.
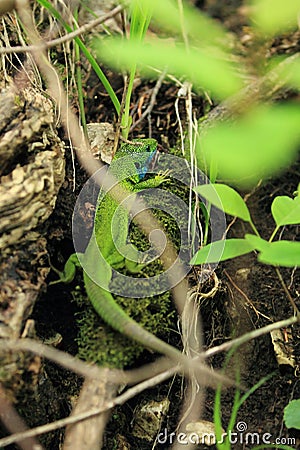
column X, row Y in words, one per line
column 281, row 253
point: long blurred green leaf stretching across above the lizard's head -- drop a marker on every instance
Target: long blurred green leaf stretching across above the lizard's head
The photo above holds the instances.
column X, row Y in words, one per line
column 201, row 66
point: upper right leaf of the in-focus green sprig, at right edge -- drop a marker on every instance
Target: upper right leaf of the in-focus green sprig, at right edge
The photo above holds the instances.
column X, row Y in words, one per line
column 286, row 211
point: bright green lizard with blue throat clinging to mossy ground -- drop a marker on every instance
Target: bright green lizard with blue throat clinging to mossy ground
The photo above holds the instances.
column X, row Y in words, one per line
column 100, row 296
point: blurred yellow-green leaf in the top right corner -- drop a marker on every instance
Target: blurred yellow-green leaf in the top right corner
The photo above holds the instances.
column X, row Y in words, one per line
column 273, row 16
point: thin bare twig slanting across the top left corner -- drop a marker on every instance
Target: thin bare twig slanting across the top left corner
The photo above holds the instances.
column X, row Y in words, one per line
column 67, row 37
